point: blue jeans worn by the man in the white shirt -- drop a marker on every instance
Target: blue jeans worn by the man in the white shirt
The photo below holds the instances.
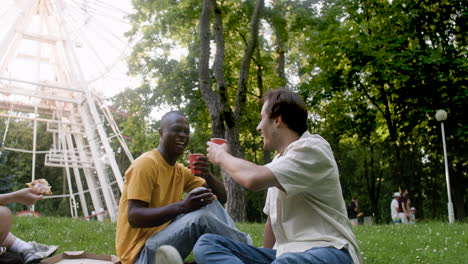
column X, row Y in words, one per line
column 214, row 249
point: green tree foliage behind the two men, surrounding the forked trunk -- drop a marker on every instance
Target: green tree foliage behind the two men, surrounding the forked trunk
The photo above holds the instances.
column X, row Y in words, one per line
column 372, row 73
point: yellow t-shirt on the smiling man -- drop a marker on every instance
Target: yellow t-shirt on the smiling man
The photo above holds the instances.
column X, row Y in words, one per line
column 150, row 179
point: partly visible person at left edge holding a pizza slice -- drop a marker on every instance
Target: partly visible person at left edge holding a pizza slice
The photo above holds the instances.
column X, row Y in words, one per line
column 29, row 252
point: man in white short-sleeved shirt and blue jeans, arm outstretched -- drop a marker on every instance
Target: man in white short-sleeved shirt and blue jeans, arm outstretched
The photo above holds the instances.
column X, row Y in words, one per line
column 307, row 219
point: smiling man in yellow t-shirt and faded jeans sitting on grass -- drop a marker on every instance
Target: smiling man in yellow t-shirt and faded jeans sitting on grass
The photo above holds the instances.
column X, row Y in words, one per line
column 151, row 210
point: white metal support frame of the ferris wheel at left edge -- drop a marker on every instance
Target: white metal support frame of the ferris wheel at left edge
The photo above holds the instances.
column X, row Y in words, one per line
column 62, row 98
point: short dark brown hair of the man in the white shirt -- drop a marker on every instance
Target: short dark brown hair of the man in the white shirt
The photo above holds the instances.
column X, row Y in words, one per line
column 290, row 106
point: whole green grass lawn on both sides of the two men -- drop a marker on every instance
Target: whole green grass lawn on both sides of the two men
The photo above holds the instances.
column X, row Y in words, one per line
column 428, row 243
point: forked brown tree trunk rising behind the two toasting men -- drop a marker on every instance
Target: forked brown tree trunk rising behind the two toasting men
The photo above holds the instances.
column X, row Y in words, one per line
column 224, row 120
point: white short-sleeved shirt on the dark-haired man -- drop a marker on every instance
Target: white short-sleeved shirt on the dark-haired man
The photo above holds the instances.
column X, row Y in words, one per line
column 311, row 212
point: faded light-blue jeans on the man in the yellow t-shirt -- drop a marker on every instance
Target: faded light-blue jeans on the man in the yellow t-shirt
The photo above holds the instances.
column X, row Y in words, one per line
column 184, row 231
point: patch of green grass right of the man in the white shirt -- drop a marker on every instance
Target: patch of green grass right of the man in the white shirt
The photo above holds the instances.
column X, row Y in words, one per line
column 432, row 242
